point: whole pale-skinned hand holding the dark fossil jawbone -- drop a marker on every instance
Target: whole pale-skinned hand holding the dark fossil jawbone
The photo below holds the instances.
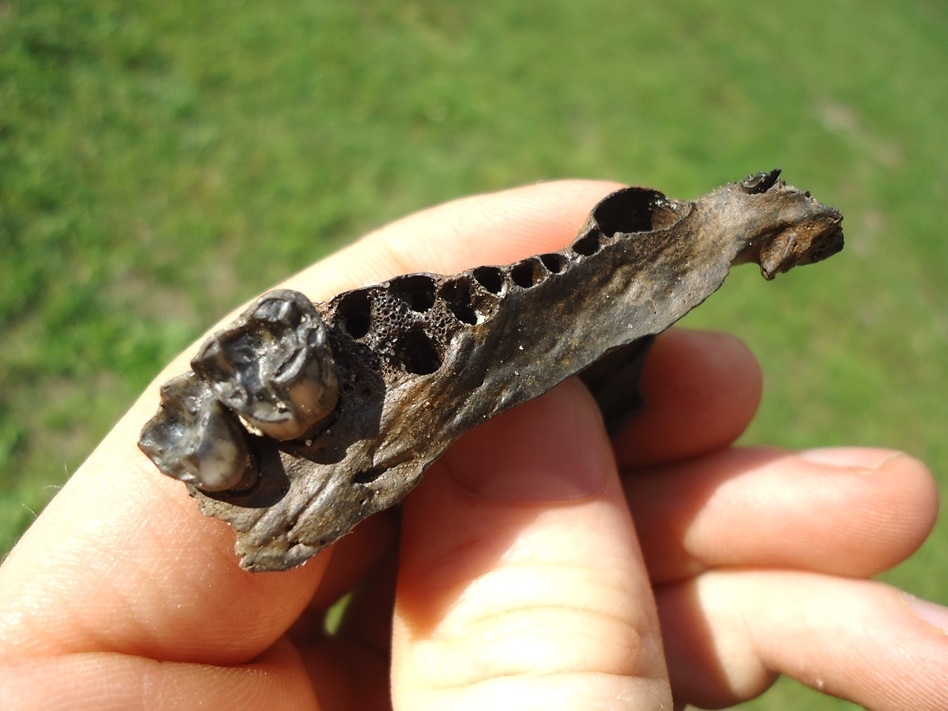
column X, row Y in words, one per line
column 520, row 581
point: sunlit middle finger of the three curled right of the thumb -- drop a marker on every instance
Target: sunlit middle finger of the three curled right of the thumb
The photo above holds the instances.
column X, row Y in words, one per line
column 853, row 511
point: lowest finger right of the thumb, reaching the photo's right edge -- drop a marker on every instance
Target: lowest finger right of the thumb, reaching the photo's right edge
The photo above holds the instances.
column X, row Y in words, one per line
column 728, row 634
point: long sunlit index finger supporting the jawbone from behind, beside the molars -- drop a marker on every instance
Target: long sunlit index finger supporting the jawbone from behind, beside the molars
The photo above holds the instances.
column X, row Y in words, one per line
column 123, row 561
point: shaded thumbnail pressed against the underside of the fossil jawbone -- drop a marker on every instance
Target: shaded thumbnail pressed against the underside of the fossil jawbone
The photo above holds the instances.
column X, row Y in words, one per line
column 551, row 449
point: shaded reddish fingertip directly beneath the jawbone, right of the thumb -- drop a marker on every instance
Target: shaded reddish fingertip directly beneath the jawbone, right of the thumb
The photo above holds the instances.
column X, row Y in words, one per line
column 701, row 390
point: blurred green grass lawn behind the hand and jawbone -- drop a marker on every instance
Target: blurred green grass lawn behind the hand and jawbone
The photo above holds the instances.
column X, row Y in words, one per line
column 161, row 162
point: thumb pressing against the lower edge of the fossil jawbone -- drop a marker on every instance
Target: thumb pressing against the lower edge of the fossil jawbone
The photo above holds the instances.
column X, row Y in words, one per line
column 521, row 583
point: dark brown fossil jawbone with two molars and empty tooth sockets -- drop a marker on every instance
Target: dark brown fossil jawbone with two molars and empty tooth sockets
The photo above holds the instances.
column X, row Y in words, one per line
column 331, row 412
